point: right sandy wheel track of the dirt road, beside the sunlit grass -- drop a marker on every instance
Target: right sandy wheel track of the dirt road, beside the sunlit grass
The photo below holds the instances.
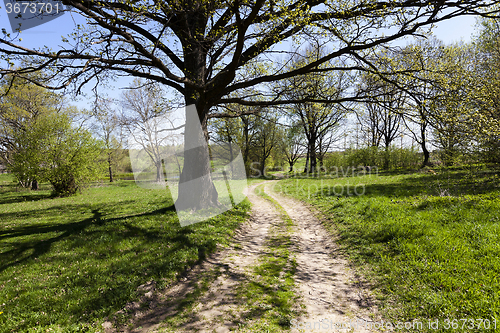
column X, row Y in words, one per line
column 333, row 299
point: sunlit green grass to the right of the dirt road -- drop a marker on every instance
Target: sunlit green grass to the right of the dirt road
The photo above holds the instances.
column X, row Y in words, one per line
column 429, row 242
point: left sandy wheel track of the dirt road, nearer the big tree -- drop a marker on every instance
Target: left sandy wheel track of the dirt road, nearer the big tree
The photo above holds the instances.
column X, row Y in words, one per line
column 218, row 309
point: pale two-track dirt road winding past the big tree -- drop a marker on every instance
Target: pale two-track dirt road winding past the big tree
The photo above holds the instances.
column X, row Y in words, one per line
column 211, row 297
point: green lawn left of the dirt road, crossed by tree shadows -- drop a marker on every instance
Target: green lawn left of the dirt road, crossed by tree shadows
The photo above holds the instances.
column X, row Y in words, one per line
column 68, row 263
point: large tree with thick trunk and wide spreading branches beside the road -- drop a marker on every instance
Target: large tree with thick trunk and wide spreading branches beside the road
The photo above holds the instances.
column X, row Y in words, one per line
column 201, row 48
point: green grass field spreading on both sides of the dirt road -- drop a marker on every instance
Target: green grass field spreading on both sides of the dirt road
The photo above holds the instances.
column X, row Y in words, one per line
column 428, row 243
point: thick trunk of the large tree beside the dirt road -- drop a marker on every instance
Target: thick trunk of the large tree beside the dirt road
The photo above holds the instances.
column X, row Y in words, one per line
column 196, row 188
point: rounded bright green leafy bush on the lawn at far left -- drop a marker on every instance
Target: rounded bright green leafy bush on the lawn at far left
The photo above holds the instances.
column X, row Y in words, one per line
column 53, row 150
